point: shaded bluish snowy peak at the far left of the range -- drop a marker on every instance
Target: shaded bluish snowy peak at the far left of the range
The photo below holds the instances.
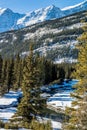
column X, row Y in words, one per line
column 8, row 19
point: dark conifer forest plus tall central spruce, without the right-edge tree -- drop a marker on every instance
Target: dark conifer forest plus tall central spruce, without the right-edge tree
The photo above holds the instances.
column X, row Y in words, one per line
column 29, row 74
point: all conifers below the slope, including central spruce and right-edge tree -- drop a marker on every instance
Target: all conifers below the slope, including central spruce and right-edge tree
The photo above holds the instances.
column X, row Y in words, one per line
column 33, row 71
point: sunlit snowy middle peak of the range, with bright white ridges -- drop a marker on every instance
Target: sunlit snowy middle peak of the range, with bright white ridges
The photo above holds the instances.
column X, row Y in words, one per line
column 40, row 15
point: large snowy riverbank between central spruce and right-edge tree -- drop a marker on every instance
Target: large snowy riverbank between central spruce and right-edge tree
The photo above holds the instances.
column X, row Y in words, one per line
column 62, row 99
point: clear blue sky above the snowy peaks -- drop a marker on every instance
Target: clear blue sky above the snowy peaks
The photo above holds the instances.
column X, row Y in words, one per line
column 23, row 6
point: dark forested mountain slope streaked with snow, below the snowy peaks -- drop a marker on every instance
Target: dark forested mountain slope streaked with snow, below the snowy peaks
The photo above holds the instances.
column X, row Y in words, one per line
column 54, row 39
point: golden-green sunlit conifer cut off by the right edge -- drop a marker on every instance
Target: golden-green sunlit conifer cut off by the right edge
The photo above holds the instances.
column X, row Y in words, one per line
column 78, row 112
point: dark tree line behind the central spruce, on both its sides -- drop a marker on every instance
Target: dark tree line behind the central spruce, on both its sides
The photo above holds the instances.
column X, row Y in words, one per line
column 11, row 72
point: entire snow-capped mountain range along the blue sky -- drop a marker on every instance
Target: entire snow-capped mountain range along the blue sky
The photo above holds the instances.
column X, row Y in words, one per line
column 11, row 21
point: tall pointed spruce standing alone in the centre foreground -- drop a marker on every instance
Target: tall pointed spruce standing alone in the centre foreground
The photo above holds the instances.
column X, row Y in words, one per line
column 31, row 103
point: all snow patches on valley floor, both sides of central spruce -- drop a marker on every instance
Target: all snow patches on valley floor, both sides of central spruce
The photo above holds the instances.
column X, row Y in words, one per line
column 58, row 97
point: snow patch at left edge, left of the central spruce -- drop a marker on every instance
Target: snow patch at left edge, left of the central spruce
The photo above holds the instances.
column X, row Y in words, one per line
column 8, row 104
